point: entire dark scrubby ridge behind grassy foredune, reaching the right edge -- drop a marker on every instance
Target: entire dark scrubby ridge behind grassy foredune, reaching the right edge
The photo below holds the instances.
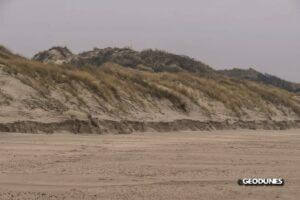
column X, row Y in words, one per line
column 156, row 61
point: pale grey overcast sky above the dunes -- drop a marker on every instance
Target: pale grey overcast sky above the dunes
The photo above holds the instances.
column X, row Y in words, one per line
column 264, row 34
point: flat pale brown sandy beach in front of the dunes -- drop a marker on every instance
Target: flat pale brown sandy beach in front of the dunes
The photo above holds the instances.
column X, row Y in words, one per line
column 185, row 165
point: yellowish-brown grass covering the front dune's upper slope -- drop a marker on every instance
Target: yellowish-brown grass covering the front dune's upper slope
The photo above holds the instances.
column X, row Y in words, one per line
column 111, row 83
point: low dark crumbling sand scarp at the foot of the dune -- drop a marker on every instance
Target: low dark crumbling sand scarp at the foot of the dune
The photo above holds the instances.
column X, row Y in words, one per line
column 95, row 126
